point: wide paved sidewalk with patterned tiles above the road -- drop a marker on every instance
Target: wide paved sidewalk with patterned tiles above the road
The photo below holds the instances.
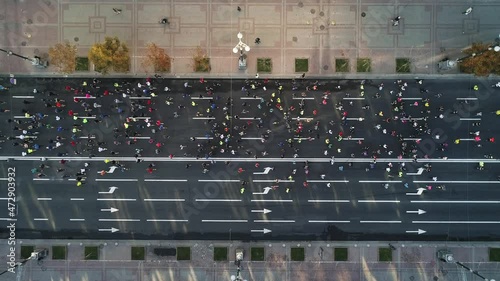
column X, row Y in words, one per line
column 321, row 31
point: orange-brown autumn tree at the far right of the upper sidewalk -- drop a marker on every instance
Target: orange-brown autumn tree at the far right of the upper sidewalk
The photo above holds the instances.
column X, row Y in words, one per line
column 481, row 60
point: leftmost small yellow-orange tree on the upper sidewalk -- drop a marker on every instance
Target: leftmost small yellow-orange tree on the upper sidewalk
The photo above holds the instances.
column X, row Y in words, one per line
column 63, row 56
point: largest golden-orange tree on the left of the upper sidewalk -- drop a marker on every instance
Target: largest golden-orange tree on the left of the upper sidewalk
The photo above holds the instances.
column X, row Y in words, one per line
column 112, row 54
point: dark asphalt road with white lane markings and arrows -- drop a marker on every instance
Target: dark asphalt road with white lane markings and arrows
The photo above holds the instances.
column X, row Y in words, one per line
column 354, row 198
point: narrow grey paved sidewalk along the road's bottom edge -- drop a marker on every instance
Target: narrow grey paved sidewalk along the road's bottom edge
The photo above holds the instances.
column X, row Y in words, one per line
column 411, row 261
